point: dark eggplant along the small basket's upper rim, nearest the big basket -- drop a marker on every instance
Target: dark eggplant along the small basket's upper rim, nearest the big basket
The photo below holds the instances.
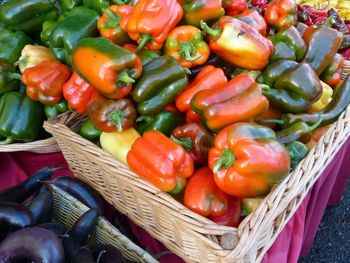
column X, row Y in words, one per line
column 81, row 191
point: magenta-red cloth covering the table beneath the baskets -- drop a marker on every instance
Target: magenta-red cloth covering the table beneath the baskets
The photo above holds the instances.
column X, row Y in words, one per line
column 294, row 241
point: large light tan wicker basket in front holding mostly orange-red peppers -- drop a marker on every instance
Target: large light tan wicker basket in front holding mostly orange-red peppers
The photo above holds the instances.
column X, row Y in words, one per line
column 189, row 235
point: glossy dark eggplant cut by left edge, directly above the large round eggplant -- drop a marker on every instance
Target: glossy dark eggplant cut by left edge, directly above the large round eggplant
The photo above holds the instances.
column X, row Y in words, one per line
column 13, row 216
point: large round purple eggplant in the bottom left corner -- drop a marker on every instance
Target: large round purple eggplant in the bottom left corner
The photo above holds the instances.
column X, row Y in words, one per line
column 33, row 243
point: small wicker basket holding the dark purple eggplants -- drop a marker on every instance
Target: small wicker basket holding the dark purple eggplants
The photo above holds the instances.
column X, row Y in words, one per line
column 67, row 210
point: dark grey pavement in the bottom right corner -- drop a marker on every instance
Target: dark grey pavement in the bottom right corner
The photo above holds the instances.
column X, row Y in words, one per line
column 332, row 241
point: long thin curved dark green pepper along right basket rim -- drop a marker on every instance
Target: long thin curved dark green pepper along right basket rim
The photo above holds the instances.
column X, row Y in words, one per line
column 330, row 113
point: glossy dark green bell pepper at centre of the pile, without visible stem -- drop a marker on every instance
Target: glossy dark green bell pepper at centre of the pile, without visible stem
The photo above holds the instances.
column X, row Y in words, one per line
column 162, row 80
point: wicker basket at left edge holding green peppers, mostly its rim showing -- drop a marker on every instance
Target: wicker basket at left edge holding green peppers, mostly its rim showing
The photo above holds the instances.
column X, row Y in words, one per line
column 42, row 146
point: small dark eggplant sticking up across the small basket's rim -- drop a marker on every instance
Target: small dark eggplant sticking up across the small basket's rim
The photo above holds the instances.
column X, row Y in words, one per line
column 83, row 227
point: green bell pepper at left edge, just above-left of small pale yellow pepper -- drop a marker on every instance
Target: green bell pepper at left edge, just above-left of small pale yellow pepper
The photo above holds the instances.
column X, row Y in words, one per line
column 11, row 45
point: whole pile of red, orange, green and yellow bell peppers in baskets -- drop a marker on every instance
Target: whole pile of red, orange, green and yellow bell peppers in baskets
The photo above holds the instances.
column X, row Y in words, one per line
column 212, row 101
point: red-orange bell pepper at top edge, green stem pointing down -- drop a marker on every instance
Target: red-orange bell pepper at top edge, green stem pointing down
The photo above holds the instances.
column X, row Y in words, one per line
column 151, row 21
